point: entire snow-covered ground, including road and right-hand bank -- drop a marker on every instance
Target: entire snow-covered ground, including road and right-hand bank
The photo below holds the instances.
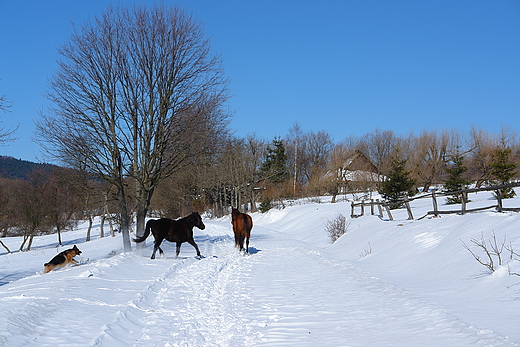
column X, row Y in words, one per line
column 384, row 283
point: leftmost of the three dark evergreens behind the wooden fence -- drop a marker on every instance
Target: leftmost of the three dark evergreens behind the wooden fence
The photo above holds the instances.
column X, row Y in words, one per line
column 398, row 184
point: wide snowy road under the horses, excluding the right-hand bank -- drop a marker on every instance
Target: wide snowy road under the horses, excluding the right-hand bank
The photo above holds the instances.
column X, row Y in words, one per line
column 285, row 293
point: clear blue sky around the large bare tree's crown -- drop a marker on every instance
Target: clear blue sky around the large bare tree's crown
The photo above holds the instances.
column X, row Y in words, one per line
column 346, row 67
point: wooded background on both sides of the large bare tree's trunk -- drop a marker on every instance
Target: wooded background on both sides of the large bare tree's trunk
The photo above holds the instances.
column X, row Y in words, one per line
column 250, row 172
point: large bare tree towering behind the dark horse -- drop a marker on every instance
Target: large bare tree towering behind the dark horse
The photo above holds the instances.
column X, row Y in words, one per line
column 137, row 94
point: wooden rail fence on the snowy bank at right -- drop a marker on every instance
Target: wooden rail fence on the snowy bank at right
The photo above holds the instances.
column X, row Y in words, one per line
column 382, row 205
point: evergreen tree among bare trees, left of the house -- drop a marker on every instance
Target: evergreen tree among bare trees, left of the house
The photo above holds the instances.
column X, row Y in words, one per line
column 274, row 167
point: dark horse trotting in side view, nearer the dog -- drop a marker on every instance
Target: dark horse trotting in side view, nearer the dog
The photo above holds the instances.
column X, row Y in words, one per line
column 178, row 231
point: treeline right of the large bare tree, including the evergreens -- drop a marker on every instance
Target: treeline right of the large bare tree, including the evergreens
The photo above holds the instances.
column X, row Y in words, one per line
column 309, row 164
